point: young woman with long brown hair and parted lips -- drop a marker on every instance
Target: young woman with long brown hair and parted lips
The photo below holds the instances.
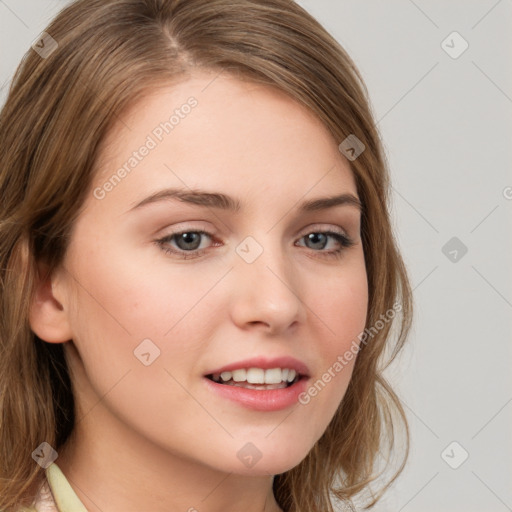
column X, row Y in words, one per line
column 199, row 272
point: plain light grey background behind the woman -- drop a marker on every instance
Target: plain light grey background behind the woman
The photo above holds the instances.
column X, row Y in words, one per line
column 446, row 124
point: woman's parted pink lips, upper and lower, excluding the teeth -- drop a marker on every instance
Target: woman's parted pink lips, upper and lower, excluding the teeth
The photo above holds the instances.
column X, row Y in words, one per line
column 261, row 399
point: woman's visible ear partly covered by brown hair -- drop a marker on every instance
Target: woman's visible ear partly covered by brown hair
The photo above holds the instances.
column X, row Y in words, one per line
column 48, row 317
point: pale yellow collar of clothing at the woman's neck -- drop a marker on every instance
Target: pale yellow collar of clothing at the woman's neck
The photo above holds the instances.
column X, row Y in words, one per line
column 56, row 494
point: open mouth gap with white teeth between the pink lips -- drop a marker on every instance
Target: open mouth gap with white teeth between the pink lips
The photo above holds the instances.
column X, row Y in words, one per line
column 257, row 378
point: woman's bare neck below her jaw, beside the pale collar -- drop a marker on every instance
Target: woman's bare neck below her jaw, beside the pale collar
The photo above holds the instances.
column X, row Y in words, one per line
column 123, row 472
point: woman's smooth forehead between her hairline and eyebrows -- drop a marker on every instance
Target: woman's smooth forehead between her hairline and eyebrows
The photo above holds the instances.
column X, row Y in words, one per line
column 218, row 132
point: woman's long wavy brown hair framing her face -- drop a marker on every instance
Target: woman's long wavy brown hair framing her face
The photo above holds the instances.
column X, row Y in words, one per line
column 59, row 109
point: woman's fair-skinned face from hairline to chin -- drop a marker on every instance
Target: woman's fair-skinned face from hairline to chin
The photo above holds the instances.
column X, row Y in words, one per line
column 155, row 316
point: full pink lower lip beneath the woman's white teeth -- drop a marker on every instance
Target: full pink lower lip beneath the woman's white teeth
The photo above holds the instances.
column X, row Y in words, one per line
column 260, row 399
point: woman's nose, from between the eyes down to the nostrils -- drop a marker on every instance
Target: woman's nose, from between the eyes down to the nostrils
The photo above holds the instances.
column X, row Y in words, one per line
column 268, row 288
